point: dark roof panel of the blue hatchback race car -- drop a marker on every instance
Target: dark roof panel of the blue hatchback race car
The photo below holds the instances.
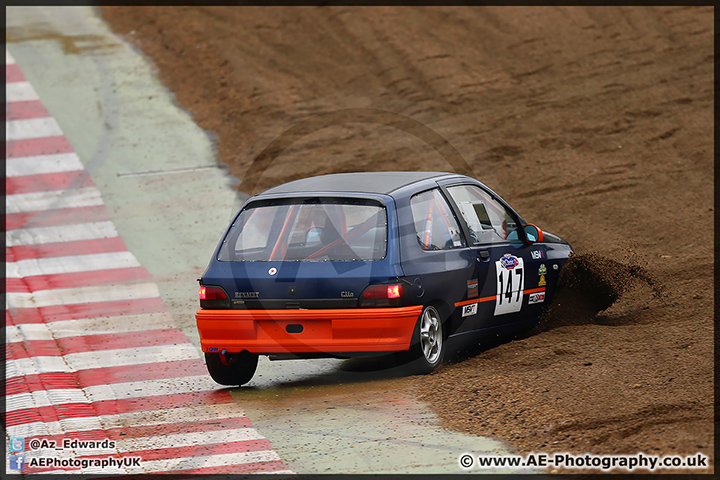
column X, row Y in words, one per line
column 359, row 182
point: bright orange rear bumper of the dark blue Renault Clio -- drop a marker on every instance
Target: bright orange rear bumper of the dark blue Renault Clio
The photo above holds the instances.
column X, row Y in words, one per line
column 323, row 330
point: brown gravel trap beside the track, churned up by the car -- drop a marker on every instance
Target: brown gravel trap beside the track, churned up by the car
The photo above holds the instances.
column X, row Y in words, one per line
column 596, row 123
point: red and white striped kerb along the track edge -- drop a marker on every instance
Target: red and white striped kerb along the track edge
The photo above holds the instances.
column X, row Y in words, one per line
column 92, row 351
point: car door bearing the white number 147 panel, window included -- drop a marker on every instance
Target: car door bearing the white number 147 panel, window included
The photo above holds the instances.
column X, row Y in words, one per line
column 506, row 266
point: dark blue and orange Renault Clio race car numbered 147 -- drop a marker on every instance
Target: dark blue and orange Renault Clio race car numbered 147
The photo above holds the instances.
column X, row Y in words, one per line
column 357, row 264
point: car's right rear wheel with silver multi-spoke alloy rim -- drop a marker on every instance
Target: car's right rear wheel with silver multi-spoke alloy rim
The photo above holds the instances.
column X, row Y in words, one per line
column 427, row 348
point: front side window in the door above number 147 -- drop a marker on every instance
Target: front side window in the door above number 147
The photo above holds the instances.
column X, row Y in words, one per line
column 488, row 220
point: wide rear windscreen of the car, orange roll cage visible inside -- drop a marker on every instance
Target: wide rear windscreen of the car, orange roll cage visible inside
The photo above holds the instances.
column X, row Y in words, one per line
column 309, row 230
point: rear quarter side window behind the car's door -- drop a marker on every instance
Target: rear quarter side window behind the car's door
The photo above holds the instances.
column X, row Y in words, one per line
column 435, row 225
